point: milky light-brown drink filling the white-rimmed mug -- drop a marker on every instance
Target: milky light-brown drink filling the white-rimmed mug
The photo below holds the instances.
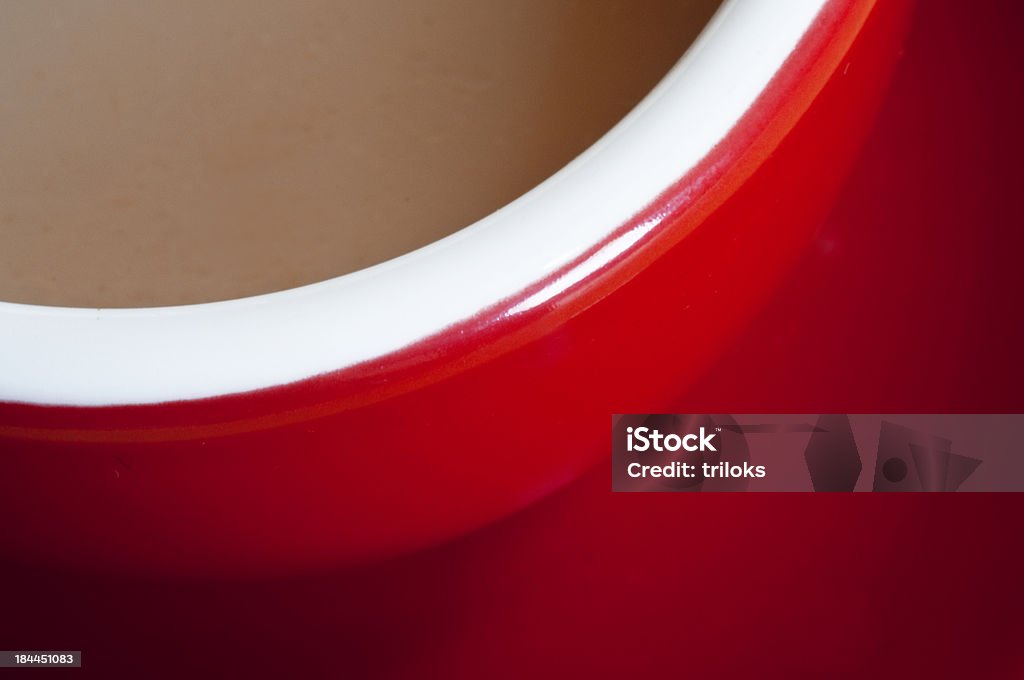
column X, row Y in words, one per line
column 166, row 153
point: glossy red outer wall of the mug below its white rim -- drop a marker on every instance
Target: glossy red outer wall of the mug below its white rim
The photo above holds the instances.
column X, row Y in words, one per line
column 483, row 419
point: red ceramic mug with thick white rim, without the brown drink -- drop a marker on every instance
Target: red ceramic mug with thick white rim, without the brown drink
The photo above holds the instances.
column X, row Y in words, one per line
column 406, row 404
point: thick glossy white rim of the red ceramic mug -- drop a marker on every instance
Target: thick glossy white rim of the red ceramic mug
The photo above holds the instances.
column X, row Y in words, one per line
column 62, row 356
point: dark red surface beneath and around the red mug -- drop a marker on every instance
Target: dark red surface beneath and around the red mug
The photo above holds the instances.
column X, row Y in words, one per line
column 907, row 303
